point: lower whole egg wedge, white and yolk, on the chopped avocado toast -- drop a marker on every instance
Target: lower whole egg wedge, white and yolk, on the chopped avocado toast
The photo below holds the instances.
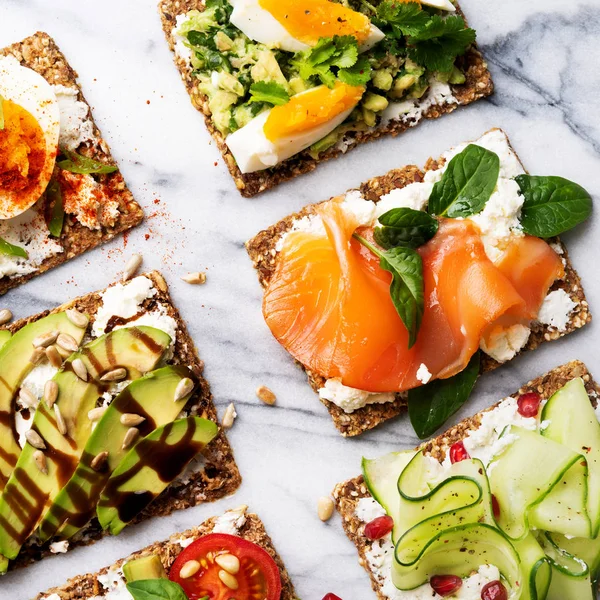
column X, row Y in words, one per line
column 281, row 132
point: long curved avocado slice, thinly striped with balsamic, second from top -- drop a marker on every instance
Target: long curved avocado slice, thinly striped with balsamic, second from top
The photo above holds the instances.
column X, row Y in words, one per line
column 30, row 492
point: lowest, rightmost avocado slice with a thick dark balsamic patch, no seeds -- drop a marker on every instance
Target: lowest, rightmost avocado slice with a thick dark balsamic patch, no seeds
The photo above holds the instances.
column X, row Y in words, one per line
column 147, row 469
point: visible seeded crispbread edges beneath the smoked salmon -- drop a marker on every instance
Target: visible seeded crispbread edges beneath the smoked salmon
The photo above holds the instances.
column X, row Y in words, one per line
column 263, row 253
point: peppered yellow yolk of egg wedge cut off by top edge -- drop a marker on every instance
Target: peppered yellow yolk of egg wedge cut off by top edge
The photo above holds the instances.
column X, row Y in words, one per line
column 309, row 20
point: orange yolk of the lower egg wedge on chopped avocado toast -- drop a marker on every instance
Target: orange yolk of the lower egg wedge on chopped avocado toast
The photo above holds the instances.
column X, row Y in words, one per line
column 311, row 109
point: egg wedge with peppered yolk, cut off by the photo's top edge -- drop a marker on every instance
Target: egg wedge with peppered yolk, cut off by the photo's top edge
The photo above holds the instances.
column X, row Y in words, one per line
column 297, row 25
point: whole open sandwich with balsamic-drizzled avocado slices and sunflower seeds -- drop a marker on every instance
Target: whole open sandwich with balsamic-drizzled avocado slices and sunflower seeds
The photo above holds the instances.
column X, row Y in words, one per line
column 105, row 420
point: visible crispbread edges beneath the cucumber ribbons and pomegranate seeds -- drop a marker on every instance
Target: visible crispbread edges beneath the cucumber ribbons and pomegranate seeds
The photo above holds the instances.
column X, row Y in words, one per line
column 347, row 495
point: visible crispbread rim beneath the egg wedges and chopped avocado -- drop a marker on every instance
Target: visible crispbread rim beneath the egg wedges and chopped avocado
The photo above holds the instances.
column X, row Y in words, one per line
column 478, row 85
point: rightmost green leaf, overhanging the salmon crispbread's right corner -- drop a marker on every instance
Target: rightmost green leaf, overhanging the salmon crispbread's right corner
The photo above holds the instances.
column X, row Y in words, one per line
column 552, row 205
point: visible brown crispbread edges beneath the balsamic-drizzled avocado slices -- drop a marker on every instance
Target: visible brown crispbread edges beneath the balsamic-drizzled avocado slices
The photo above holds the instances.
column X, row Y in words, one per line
column 220, row 476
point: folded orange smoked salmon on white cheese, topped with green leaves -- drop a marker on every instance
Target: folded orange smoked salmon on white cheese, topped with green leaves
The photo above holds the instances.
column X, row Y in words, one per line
column 328, row 301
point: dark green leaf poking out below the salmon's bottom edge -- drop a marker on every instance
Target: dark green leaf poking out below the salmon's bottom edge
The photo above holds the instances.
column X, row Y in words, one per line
column 431, row 405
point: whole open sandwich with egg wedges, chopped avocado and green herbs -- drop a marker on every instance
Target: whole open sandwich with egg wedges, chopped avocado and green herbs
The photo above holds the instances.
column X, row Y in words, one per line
column 285, row 84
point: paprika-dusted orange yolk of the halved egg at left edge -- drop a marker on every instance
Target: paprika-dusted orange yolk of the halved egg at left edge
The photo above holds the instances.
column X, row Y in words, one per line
column 22, row 150
